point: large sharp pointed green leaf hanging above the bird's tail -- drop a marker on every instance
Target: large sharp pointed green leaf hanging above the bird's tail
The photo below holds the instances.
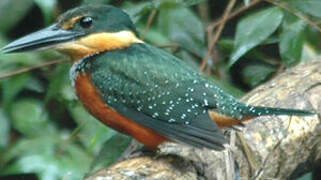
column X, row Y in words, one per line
column 254, row 29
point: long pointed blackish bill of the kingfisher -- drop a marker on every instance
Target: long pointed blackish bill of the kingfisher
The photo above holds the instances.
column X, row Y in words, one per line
column 47, row 37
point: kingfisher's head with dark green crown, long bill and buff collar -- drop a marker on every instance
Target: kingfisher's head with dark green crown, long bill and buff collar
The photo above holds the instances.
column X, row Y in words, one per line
column 81, row 32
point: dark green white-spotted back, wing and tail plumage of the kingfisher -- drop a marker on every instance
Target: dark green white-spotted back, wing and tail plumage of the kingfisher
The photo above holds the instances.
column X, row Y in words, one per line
column 160, row 91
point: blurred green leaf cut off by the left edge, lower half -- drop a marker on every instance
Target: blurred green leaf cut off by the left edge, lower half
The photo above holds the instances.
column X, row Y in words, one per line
column 4, row 129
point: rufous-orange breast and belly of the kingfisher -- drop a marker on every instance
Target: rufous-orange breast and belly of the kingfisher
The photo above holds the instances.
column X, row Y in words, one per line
column 89, row 96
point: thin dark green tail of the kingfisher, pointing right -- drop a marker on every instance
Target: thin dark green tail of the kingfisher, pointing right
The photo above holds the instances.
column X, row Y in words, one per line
column 261, row 111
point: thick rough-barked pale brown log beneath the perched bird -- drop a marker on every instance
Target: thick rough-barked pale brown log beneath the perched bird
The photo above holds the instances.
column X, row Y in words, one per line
column 267, row 147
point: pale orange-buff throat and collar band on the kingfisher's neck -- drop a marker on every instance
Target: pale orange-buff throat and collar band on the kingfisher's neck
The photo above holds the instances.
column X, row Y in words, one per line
column 97, row 43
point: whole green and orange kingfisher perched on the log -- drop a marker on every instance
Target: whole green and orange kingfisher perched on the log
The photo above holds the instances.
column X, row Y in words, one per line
column 136, row 88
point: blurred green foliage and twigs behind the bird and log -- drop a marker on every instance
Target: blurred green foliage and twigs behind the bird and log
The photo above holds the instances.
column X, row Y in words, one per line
column 44, row 131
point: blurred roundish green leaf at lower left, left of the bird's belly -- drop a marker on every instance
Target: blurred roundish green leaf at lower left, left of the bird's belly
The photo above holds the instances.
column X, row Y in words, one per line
column 30, row 117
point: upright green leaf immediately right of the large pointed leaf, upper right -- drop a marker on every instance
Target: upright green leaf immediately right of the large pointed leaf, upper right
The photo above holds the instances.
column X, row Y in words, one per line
column 291, row 39
